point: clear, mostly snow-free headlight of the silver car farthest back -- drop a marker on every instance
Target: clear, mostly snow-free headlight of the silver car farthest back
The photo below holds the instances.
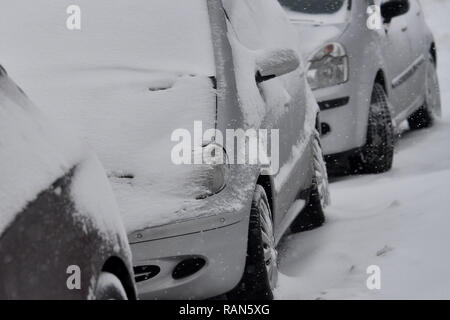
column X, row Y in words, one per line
column 328, row 67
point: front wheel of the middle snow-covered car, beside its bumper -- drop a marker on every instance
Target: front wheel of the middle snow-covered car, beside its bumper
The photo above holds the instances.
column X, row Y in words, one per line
column 261, row 269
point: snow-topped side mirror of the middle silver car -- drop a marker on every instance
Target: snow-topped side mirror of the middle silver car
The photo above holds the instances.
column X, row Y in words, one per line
column 276, row 63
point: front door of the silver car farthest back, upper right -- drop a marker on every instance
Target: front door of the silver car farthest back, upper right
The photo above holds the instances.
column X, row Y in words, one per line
column 398, row 58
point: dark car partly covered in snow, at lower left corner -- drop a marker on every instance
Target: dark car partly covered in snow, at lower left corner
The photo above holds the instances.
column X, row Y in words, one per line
column 61, row 236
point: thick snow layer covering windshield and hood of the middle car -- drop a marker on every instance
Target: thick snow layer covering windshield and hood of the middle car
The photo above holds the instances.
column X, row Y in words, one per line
column 132, row 75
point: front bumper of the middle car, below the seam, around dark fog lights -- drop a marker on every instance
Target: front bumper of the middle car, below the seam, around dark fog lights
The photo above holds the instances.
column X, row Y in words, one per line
column 223, row 250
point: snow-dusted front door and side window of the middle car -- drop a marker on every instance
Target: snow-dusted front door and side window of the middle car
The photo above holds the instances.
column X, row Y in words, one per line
column 262, row 25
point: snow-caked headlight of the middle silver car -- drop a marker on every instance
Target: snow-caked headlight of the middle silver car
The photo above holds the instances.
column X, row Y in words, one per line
column 212, row 174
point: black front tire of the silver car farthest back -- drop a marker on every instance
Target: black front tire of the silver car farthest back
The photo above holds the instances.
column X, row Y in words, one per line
column 378, row 154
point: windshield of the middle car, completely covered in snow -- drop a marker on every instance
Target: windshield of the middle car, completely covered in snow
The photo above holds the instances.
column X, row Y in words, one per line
column 146, row 35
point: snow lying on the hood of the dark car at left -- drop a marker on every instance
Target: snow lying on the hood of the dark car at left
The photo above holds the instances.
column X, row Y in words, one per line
column 33, row 154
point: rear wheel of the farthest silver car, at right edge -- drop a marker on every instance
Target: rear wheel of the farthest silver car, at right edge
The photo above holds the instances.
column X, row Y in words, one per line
column 425, row 115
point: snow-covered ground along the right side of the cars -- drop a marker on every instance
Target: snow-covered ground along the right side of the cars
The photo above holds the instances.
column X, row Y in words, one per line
column 399, row 221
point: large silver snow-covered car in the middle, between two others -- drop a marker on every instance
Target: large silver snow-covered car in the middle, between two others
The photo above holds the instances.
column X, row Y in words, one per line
column 139, row 78
